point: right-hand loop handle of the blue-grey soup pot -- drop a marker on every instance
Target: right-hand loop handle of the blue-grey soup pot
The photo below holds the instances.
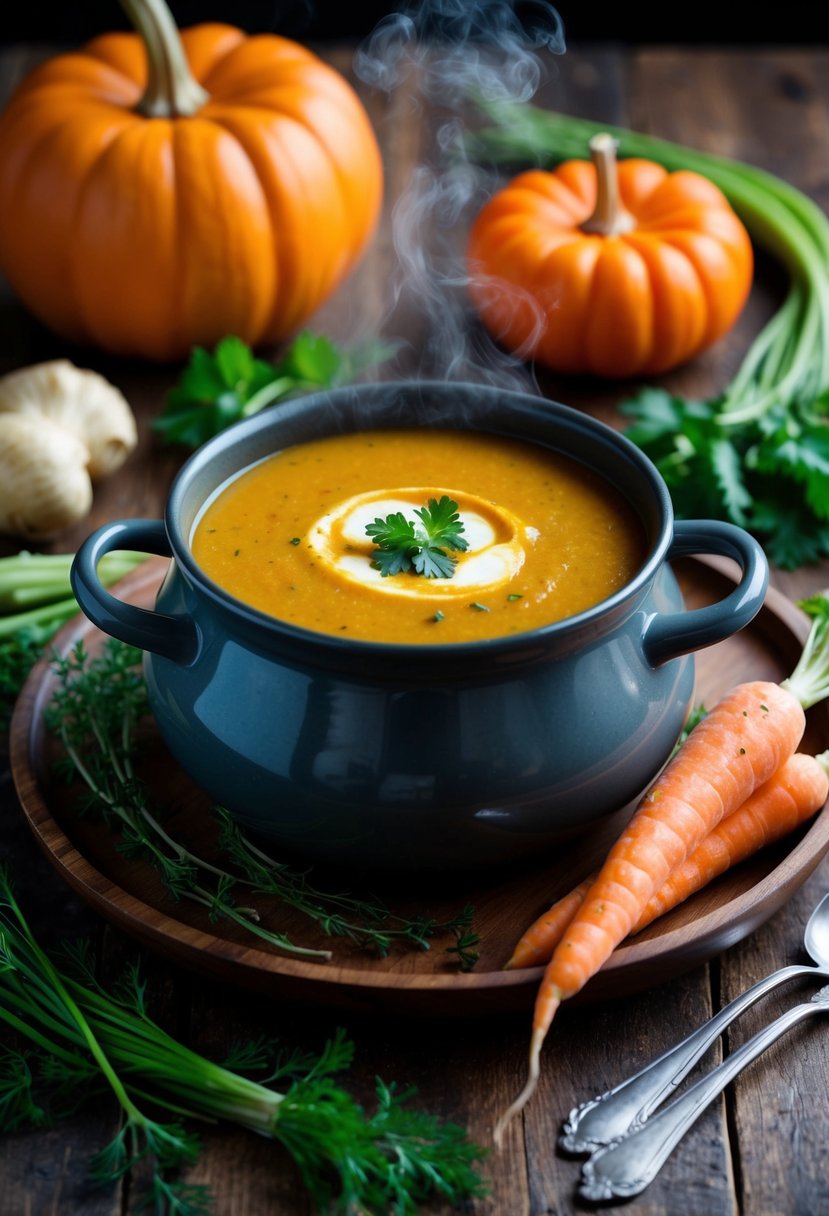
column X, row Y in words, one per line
column 668, row 635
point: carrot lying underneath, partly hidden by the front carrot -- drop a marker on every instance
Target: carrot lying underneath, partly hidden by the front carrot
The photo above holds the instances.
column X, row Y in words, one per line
column 793, row 795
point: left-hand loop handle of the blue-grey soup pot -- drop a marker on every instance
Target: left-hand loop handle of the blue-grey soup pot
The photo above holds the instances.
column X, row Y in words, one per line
column 173, row 638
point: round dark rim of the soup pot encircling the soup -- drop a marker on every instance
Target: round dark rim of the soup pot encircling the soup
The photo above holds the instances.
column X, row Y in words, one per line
column 566, row 418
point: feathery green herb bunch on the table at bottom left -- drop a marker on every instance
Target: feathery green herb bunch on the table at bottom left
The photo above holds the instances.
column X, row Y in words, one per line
column 87, row 1040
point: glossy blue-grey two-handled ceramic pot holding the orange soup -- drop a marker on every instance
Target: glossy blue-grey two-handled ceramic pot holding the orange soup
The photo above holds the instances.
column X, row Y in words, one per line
column 447, row 756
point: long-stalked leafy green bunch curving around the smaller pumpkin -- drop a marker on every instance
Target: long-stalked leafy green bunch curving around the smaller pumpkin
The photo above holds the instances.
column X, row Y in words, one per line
column 759, row 453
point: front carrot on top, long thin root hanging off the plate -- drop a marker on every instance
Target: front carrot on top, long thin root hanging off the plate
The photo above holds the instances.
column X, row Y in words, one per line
column 734, row 751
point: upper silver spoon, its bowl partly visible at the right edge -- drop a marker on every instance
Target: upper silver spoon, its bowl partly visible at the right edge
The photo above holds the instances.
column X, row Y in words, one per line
column 605, row 1119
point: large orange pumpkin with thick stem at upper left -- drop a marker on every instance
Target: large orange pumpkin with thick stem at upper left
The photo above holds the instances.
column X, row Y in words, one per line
column 159, row 192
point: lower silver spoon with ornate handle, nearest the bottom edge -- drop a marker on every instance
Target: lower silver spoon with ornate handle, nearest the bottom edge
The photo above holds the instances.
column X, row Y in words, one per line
column 629, row 1166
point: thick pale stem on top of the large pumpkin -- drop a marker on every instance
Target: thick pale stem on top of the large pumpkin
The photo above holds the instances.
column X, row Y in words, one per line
column 172, row 89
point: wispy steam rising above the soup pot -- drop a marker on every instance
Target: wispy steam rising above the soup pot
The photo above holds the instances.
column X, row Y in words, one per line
column 443, row 53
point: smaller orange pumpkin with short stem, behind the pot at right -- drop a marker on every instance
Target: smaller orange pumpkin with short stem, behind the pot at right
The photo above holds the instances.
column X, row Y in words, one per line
column 610, row 269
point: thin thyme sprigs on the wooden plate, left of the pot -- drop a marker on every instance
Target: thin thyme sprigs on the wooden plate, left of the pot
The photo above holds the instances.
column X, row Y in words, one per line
column 97, row 711
